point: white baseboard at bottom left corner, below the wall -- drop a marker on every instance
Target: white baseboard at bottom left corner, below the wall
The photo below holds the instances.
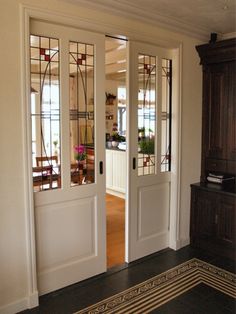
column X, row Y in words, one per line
column 20, row 305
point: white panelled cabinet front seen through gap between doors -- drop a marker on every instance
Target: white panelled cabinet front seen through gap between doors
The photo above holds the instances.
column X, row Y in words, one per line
column 116, row 172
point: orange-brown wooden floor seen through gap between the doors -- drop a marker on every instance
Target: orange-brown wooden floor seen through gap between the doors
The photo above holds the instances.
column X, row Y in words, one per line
column 115, row 230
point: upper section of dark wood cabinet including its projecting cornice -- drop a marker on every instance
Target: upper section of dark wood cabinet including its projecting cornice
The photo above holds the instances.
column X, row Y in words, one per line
column 219, row 107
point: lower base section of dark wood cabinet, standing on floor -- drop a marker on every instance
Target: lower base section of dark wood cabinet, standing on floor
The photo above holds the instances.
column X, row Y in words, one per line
column 213, row 220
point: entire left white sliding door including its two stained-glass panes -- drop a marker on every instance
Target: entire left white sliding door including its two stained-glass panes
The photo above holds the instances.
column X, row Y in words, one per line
column 68, row 118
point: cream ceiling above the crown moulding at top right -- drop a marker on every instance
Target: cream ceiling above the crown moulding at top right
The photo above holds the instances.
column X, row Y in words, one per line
column 198, row 17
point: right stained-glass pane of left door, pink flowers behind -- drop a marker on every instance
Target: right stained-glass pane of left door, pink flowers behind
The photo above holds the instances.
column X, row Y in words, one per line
column 81, row 113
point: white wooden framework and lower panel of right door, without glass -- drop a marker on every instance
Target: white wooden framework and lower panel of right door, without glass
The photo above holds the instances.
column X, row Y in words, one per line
column 148, row 195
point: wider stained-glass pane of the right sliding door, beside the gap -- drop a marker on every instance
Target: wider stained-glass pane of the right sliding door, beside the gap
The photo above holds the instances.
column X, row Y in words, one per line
column 146, row 114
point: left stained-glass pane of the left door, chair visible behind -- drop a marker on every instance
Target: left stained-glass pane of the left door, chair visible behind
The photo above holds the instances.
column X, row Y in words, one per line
column 45, row 112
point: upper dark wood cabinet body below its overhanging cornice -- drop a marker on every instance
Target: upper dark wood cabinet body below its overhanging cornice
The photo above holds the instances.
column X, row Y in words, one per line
column 219, row 118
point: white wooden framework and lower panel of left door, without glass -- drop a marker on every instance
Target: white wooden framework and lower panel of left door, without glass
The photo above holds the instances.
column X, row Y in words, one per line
column 70, row 221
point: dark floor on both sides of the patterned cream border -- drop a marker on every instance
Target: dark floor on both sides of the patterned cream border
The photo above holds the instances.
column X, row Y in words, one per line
column 201, row 299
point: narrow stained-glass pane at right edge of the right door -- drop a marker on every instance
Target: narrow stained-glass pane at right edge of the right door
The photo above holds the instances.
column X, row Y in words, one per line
column 166, row 116
